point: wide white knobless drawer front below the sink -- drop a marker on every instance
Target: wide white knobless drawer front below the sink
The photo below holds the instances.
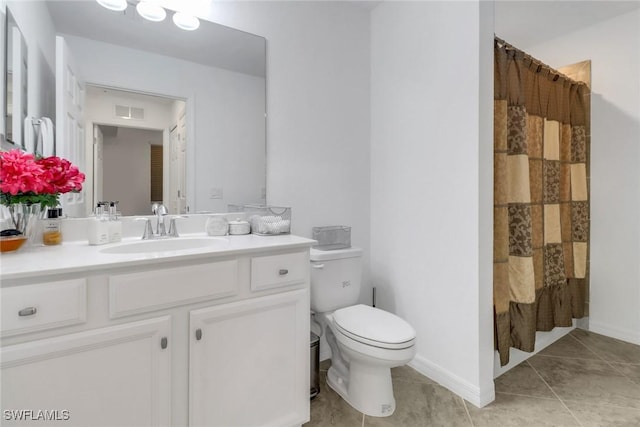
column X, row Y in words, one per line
column 154, row 290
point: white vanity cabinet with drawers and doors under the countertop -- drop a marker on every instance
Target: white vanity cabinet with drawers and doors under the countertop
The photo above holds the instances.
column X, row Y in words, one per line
column 215, row 340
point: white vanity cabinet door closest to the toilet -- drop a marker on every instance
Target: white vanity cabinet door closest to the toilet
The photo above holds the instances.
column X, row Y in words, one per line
column 249, row 362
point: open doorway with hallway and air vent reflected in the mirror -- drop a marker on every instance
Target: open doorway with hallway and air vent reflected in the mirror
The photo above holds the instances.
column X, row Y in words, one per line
column 139, row 144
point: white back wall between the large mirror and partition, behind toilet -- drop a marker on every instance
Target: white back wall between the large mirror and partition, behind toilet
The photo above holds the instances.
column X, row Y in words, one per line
column 318, row 106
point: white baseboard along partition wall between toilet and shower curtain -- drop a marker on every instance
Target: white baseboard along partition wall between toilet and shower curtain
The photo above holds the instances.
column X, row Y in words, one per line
column 478, row 396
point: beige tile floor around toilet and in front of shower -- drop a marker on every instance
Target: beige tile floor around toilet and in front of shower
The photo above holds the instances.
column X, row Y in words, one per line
column 583, row 379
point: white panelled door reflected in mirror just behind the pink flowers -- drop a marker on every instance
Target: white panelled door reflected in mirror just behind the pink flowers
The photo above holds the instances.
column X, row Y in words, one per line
column 70, row 132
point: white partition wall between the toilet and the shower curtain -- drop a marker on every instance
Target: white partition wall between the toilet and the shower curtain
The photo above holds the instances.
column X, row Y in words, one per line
column 430, row 148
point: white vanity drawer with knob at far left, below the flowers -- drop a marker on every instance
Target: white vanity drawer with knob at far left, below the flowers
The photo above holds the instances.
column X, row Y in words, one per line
column 43, row 306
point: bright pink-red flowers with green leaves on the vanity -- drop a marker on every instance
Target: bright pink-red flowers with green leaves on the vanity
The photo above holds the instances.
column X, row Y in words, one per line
column 29, row 180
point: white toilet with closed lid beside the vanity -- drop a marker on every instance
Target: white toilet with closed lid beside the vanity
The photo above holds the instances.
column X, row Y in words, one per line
column 365, row 342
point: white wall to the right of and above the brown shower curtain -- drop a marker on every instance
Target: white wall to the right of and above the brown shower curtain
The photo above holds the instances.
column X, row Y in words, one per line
column 613, row 46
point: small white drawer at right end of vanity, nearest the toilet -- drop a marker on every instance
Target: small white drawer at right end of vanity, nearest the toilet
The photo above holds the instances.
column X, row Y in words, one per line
column 275, row 271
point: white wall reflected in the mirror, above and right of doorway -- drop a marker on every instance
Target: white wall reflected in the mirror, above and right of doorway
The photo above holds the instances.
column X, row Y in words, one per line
column 222, row 150
